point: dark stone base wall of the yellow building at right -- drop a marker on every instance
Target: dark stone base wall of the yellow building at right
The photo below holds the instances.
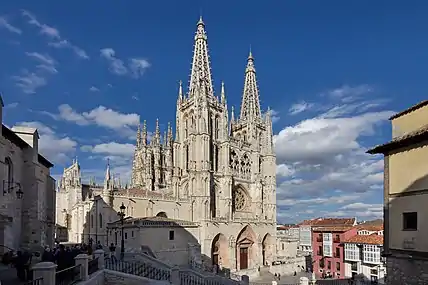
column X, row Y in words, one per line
column 406, row 271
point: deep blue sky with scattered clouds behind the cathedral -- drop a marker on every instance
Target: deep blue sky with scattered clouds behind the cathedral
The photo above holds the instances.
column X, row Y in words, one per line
column 86, row 72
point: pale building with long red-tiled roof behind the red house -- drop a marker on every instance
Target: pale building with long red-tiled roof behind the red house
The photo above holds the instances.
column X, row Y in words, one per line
column 305, row 230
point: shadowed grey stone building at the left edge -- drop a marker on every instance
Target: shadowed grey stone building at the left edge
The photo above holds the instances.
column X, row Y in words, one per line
column 27, row 200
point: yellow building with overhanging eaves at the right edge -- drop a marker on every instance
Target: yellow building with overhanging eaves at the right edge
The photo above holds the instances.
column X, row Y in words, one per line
column 406, row 196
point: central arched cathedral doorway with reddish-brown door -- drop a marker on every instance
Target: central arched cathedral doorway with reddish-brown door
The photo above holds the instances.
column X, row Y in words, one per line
column 246, row 249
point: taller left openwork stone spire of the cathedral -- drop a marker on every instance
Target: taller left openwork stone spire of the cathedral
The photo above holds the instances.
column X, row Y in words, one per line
column 201, row 68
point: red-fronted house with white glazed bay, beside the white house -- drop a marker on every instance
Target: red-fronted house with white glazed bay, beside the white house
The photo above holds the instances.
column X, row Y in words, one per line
column 328, row 254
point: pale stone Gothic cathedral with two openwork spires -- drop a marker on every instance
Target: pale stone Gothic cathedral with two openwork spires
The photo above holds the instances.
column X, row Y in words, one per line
column 217, row 170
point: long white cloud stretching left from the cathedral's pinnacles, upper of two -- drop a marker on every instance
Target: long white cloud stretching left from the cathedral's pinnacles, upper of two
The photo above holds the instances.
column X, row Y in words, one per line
column 101, row 116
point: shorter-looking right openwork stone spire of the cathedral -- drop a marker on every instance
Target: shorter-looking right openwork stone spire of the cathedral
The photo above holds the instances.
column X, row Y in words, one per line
column 250, row 106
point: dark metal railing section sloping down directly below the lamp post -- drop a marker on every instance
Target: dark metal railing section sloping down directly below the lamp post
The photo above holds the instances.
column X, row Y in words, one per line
column 139, row 269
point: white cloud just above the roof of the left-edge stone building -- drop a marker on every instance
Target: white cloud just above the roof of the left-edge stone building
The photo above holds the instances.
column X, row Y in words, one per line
column 54, row 147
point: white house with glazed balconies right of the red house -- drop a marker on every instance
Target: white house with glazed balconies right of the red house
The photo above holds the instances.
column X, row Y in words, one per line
column 363, row 254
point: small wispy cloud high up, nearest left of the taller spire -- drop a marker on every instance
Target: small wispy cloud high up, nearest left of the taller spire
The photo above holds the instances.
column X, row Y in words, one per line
column 136, row 66
